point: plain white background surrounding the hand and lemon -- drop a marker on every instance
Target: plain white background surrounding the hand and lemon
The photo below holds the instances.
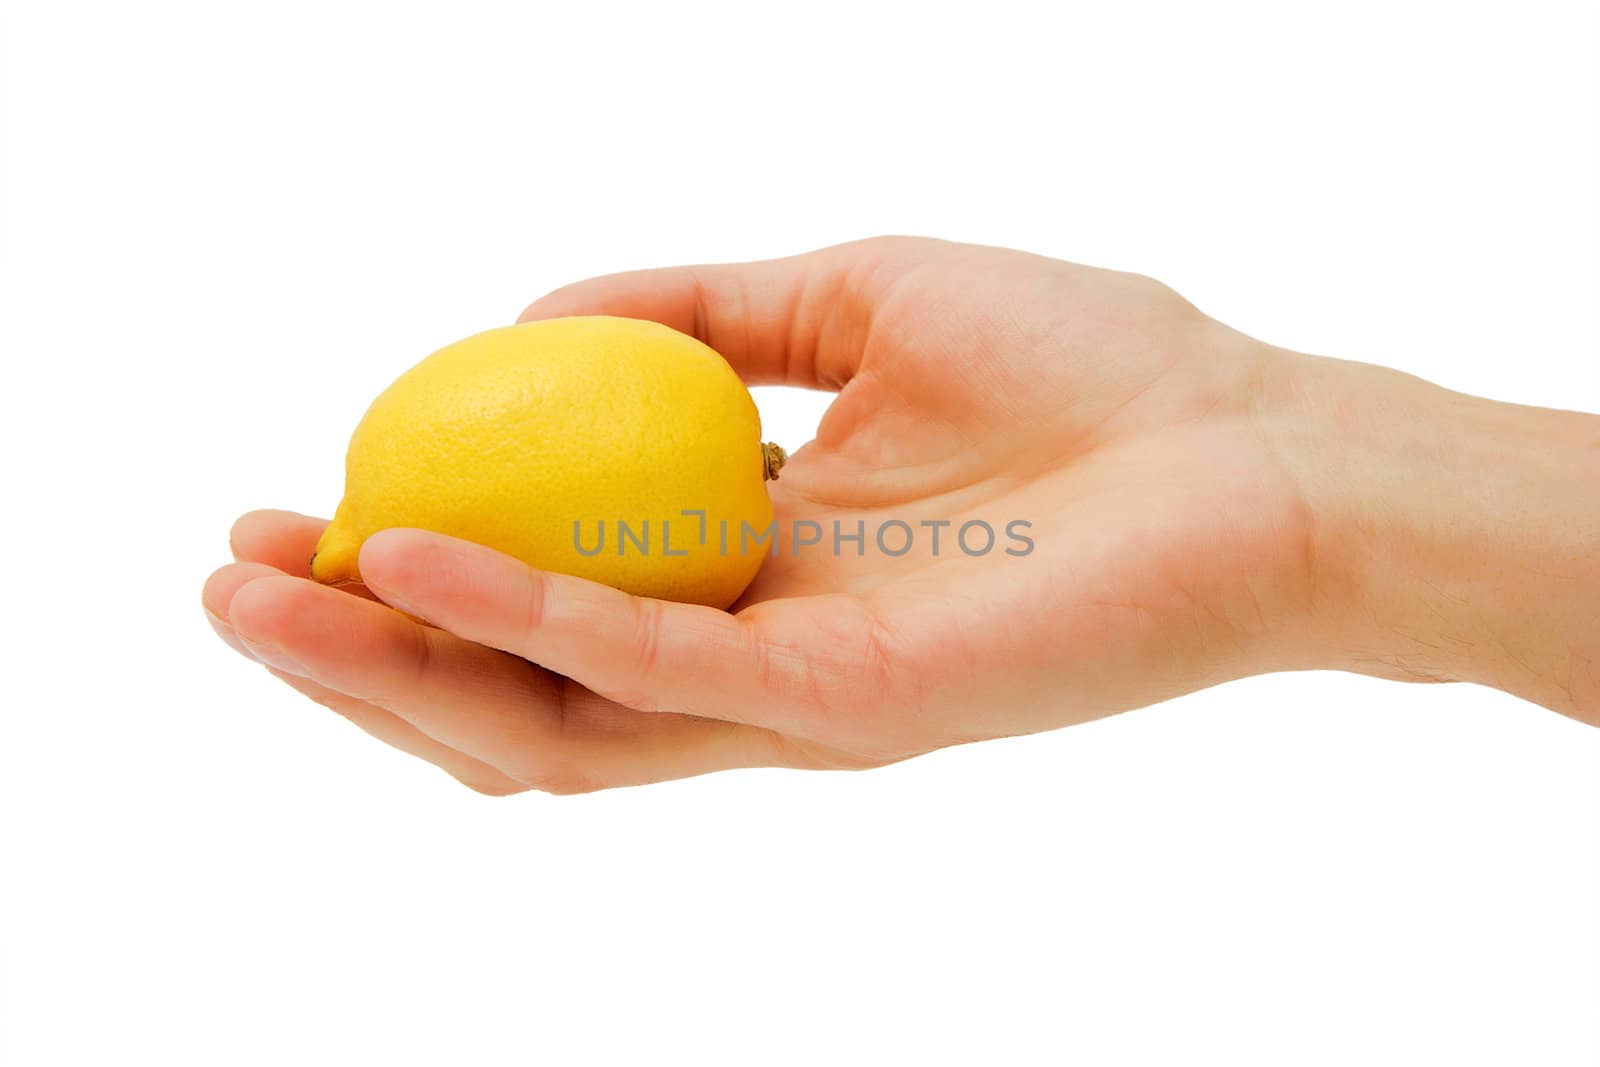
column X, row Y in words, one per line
column 230, row 226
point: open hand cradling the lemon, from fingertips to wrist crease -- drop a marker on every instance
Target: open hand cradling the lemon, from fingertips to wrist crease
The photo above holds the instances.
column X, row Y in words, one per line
column 1130, row 535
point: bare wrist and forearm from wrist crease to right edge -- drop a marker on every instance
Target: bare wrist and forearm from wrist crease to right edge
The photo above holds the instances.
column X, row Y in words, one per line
column 1454, row 538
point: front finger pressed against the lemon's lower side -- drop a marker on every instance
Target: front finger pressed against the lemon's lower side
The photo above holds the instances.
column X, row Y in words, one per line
column 649, row 655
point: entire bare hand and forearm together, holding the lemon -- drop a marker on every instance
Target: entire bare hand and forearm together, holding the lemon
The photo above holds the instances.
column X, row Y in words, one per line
column 1202, row 508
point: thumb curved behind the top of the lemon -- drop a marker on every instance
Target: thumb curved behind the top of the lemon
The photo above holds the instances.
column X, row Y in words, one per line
column 798, row 321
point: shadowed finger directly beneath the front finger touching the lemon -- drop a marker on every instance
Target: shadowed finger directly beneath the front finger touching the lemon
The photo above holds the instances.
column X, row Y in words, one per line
column 497, row 709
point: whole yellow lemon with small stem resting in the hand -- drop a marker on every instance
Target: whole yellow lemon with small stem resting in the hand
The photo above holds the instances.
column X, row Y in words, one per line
column 610, row 449
